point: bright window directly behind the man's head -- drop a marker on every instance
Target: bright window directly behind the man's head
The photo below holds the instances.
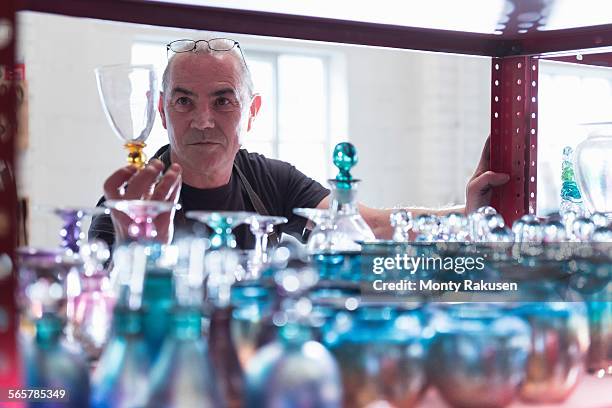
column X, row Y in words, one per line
column 293, row 124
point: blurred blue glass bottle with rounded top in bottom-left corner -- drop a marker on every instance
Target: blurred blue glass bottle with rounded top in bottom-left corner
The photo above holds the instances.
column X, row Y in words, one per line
column 49, row 364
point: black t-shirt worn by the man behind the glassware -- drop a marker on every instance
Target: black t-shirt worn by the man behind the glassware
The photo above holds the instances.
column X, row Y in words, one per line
column 279, row 185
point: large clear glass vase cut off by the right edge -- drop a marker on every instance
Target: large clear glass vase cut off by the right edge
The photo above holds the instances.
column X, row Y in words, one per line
column 593, row 166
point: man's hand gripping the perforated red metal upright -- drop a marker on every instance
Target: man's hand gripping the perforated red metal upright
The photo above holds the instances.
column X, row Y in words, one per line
column 480, row 187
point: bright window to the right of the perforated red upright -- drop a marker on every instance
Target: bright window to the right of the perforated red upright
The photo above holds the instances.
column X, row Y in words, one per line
column 569, row 96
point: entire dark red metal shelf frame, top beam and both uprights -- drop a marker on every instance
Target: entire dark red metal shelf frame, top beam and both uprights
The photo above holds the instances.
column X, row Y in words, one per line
column 514, row 85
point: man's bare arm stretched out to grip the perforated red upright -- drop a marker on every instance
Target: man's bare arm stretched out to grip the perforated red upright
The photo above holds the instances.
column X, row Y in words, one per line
column 478, row 194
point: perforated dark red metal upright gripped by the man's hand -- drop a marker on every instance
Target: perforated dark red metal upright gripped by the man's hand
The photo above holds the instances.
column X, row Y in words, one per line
column 514, row 130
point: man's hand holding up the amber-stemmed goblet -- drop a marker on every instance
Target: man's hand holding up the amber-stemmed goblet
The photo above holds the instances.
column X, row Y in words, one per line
column 143, row 185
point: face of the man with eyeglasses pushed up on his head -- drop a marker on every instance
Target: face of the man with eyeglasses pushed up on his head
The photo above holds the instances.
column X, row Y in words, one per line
column 205, row 110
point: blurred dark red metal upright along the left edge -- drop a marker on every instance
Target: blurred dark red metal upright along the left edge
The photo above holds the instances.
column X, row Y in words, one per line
column 9, row 374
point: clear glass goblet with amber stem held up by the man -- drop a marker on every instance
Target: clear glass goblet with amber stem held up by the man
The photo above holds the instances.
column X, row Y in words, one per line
column 129, row 95
